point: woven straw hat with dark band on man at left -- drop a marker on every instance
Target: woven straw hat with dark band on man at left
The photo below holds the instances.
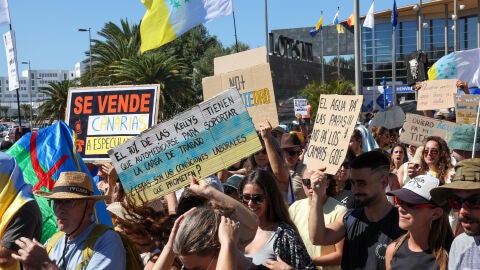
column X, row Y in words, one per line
column 72, row 185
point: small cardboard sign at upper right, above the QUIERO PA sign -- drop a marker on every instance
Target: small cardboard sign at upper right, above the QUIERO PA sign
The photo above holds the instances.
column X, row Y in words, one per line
column 437, row 94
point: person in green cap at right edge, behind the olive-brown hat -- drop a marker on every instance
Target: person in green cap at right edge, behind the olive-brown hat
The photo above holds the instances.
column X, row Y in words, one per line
column 461, row 142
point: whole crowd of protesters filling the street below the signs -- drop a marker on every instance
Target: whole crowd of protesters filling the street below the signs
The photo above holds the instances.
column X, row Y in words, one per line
column 389, row 206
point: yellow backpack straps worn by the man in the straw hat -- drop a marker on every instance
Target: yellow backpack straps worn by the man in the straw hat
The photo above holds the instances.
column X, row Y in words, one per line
column 132, row 255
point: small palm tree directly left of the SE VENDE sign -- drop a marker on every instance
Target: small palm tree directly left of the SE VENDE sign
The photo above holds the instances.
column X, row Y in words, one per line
column 54, row 106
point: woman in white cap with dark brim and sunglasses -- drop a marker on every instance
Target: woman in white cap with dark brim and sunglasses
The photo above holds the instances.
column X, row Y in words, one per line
column 427, row 241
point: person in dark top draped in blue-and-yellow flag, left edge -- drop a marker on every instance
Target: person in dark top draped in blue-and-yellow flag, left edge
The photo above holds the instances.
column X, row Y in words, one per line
column 19, row 212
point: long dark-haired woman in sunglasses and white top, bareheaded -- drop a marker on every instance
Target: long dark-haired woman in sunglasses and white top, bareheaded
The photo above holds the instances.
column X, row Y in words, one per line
column 277, row 239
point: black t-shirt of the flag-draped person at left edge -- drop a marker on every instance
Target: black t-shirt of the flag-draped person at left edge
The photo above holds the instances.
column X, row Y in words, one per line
column 27, row 222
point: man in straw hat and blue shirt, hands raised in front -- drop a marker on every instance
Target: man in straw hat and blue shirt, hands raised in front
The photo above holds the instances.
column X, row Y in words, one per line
column 73, row 204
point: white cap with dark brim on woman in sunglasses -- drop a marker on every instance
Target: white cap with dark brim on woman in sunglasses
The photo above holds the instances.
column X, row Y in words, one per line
column 417, row 190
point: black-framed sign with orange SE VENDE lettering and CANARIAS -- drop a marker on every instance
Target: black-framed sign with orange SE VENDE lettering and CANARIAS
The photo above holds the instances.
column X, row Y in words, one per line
column 105, row 117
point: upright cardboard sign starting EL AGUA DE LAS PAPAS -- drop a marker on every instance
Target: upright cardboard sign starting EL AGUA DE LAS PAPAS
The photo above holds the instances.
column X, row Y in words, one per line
column 334, row 124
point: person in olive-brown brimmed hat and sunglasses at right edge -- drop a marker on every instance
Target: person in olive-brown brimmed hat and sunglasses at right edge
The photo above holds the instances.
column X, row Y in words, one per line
column 463, row 195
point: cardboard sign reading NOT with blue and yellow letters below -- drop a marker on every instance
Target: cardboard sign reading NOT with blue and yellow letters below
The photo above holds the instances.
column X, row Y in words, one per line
column 255, row 87
